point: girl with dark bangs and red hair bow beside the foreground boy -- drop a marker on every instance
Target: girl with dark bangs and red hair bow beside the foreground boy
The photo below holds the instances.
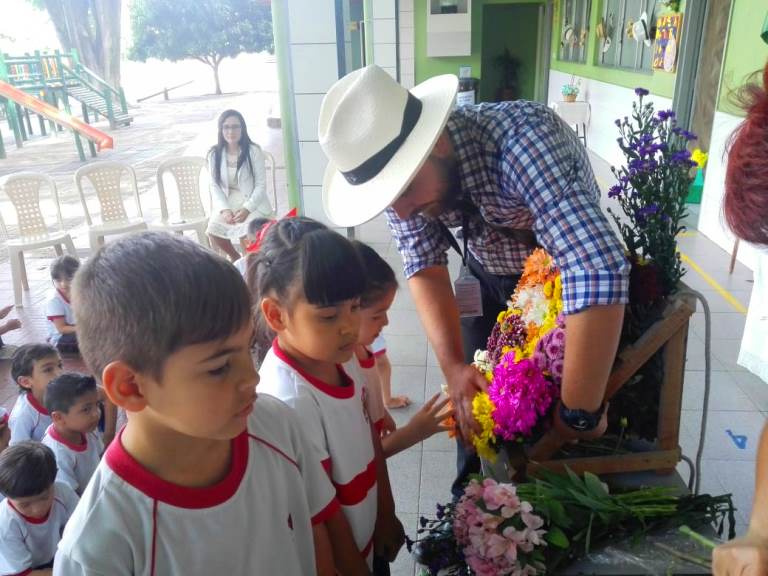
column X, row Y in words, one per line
column 306, row 281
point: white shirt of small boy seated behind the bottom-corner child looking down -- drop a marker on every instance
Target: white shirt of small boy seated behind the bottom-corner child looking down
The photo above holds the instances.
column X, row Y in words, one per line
column 76, row 462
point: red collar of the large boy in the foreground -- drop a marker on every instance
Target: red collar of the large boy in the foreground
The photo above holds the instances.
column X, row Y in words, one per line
column 130, row 470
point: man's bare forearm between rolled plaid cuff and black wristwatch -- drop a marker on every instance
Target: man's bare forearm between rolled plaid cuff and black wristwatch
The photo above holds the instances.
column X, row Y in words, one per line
column 591, row 341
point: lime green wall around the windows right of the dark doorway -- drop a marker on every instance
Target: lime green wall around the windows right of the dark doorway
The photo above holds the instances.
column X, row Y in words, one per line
column 658, row 82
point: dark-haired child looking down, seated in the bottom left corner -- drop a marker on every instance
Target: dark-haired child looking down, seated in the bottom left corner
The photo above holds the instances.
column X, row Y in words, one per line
column 35, row 511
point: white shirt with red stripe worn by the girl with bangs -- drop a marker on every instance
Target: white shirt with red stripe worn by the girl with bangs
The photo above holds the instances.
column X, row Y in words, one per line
column 337, row 424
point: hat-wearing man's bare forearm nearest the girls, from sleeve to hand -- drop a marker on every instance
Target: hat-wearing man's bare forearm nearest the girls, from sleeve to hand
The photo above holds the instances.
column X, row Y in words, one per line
column 433, row 294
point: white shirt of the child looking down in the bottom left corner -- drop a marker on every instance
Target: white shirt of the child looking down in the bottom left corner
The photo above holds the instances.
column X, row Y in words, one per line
column 28, row 543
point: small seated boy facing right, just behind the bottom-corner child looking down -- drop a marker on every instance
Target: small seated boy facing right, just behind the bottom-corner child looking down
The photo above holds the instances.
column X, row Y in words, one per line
column 73, row 402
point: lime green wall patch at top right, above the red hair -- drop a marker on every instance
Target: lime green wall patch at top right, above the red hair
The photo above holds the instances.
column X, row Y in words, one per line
column 745, row 51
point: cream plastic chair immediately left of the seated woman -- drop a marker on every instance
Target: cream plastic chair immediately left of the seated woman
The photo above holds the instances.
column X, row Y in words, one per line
column 186, row 173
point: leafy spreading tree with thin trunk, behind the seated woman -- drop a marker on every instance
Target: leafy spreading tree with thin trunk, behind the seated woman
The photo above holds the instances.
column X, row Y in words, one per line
column 206, row 30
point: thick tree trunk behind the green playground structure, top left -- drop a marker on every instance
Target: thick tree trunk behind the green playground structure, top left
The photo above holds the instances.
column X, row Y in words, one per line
column 92, row 27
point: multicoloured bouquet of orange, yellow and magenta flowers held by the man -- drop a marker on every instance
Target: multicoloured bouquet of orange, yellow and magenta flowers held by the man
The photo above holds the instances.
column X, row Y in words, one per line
column 523, row 362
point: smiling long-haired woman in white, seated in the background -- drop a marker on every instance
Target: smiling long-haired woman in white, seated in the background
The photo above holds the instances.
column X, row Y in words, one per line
column 238, row 191
